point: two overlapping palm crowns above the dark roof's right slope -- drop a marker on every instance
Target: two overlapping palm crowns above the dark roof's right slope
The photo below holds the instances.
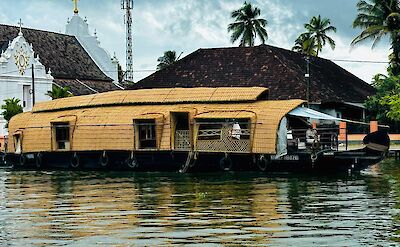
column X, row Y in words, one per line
column 316, row 36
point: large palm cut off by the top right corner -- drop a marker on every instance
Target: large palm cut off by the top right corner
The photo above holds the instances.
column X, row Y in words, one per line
column 377, row 19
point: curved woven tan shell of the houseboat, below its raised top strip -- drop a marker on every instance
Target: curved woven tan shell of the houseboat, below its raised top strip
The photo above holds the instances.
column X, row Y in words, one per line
column 111, row 128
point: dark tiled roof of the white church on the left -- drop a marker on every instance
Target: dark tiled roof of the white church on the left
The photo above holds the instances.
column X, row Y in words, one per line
column 69, row 63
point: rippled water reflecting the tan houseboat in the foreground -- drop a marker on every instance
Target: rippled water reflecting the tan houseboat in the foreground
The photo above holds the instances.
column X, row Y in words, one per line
column 142, row 209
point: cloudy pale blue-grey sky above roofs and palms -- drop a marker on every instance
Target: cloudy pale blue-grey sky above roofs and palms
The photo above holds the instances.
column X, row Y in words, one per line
column 187, row 25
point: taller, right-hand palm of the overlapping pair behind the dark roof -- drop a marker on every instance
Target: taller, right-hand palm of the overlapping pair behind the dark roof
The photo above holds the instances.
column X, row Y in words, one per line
column 318, row 29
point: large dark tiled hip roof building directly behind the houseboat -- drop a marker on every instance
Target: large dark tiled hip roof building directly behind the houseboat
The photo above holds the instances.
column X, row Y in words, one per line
column 332, row 89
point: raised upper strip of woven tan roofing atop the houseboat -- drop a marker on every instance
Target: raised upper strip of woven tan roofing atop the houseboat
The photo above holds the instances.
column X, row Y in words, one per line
column 157, row 96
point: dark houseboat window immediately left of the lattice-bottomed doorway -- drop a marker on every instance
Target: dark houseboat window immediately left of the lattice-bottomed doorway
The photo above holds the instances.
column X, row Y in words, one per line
column 146, row 133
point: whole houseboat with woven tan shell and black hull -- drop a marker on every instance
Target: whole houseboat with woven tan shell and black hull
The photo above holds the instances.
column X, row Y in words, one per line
column 185, row 129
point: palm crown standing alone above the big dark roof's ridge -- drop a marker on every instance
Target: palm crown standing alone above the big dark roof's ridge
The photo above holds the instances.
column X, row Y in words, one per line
column 247, row 26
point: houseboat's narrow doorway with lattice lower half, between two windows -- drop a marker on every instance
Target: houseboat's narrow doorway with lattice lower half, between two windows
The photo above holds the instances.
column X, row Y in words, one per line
column 180, row 131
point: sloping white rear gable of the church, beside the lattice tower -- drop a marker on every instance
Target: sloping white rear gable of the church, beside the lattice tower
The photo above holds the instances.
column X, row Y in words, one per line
column 80, row 29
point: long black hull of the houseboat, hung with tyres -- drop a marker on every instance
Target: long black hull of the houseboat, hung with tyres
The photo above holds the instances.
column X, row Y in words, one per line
column 328, row 161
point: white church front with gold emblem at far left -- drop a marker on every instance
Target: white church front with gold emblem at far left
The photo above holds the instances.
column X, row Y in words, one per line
column 16, row 76
